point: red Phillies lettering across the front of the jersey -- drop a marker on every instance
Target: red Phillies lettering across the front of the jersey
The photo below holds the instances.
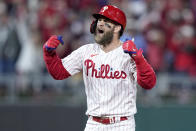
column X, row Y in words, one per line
column 104, row 71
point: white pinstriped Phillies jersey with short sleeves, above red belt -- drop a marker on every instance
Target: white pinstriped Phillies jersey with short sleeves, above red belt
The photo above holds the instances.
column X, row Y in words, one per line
column 109, row 78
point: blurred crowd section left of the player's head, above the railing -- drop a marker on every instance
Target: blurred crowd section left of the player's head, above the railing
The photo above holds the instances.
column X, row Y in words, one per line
column 26, row 24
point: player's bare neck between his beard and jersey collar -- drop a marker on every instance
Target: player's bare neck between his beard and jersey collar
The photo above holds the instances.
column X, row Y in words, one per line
column 115, row 43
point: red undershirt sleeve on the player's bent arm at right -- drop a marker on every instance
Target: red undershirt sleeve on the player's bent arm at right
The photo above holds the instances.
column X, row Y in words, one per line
column 146, row 76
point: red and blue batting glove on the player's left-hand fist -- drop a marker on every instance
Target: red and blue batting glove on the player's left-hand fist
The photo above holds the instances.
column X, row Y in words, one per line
column 53, row 42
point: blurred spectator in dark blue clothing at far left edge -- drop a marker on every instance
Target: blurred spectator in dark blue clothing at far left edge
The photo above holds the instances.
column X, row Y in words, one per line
column 9, row 42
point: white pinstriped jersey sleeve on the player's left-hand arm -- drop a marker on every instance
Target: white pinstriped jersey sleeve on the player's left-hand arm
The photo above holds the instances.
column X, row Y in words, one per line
column 73, row 62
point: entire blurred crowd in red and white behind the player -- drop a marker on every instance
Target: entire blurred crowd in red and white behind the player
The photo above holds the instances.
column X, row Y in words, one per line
column 164, row 29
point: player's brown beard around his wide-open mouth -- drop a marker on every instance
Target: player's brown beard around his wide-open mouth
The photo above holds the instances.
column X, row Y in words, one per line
column 104, row 39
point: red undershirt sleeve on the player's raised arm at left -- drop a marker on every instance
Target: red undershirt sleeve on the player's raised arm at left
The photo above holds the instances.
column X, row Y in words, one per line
column 54, row 65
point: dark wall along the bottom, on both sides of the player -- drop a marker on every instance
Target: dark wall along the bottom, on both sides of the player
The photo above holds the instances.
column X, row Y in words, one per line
column 62, row 118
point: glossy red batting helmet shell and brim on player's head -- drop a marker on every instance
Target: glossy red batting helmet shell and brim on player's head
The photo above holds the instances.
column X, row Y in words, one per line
column 113, row 13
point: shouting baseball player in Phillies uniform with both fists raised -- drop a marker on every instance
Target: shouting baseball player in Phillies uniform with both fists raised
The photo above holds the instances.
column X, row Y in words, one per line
column 111, row 71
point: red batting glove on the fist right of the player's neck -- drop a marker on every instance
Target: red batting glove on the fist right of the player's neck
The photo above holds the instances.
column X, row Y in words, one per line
column 130, row 48
